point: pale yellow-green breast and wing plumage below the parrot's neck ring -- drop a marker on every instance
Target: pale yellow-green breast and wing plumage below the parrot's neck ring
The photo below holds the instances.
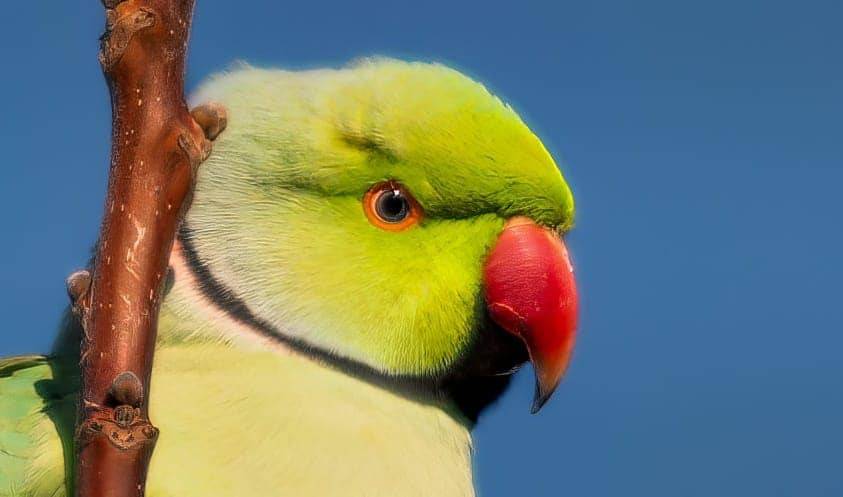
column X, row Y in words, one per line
column 243, row 421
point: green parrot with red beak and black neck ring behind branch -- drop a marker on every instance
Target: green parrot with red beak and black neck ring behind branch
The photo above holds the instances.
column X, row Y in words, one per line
column 370, row 253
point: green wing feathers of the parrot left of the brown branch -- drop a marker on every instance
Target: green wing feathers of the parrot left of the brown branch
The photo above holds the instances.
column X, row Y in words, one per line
column 37, row 409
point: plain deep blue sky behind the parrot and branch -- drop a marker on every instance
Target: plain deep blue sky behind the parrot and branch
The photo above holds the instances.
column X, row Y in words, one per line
column 703, row 141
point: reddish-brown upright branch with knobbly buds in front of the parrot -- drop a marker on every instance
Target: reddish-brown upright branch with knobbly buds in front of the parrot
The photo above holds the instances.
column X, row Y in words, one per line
column 156, row 148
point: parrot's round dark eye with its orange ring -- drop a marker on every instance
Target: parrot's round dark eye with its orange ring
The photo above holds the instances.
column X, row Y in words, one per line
column 389, row 206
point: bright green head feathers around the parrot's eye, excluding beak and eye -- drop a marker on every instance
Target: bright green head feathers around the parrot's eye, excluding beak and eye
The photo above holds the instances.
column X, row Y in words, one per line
column 278, row 216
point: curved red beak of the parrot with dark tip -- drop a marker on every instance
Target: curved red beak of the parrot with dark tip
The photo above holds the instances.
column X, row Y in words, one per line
column 531, row 293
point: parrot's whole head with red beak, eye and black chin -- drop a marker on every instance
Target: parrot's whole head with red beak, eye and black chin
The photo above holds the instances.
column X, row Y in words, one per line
column 393, row 216
